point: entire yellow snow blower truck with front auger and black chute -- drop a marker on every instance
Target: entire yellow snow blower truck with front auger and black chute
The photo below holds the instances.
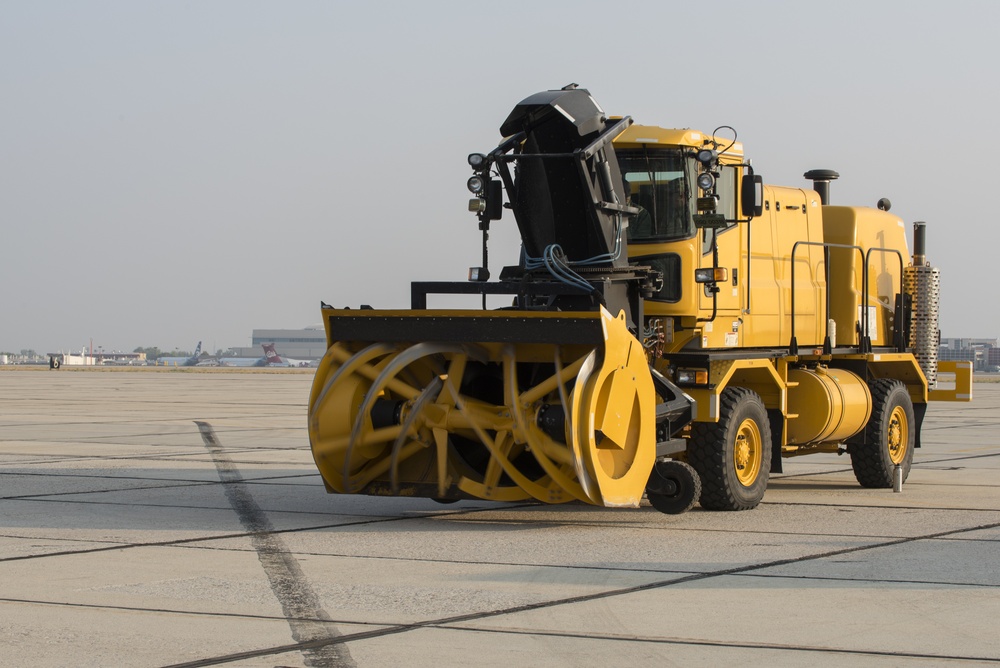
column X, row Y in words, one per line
column 673, row 329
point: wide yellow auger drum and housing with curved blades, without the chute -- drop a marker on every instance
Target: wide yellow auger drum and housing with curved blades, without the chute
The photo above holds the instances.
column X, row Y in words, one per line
column 499, row 405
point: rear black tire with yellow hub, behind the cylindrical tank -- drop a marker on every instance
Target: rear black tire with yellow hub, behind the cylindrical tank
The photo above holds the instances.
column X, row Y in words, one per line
column 888, row 437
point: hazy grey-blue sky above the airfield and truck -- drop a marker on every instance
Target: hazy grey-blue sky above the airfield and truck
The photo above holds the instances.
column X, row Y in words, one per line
column 173, row 172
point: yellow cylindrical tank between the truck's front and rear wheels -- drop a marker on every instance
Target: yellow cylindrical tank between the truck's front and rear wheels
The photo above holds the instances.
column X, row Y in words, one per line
column 831, row 405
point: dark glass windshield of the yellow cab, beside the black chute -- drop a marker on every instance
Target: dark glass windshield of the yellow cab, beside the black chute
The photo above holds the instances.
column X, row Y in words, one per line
column 656, row 184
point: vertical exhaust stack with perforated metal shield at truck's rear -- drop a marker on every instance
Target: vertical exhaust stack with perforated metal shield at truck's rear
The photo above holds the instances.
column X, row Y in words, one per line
column 923, row 283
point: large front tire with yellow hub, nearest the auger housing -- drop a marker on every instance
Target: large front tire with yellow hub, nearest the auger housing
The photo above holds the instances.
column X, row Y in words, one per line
column 733, row 456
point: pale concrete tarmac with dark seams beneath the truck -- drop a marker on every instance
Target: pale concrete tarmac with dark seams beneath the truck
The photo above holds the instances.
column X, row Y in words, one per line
column 176, row 519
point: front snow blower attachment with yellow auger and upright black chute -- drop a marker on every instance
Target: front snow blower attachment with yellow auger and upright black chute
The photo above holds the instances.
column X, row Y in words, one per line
column 552, row 399
